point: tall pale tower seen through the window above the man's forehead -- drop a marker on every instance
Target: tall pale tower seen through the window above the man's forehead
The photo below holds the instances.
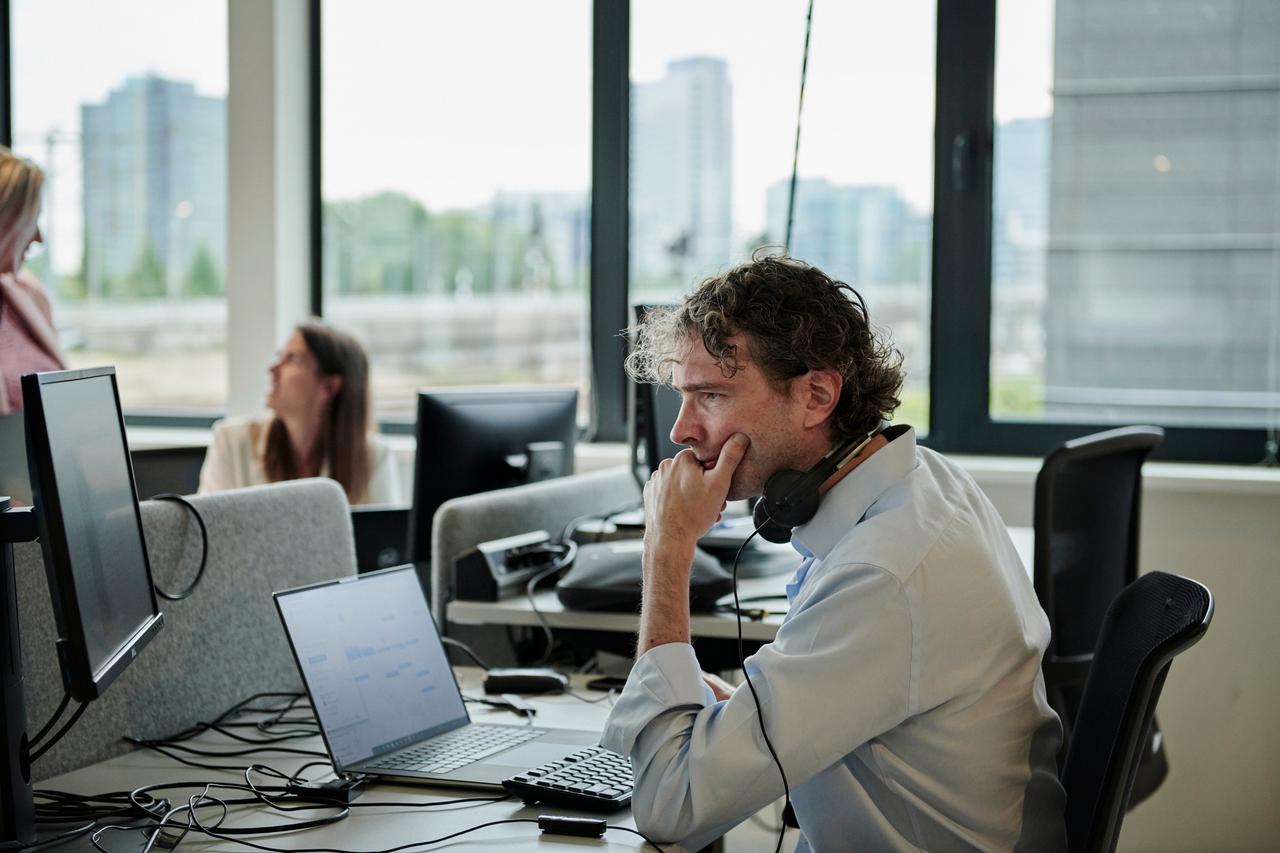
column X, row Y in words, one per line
column 682, row 174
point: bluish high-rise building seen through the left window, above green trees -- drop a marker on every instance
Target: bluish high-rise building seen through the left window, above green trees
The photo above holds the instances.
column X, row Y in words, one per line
column 156, row 190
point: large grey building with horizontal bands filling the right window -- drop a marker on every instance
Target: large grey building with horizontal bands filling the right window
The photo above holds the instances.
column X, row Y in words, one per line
column 1163, row 241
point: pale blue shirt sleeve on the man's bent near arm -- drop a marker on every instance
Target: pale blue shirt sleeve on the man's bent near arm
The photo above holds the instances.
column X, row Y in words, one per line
column 836, row 676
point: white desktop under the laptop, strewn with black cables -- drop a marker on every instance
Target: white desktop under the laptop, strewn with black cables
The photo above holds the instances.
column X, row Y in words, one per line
column 365, row 829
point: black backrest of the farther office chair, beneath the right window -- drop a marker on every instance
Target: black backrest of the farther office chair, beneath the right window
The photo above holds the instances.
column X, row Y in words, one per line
column 1089, row 496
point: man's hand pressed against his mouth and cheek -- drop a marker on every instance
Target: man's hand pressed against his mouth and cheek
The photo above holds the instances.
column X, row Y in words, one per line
column 683, row 500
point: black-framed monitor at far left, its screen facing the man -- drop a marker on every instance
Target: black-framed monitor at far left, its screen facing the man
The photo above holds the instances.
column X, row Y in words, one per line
column 90, row 526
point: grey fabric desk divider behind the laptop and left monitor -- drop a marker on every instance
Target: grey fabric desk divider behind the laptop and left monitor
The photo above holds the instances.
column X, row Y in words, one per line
column 220, row 646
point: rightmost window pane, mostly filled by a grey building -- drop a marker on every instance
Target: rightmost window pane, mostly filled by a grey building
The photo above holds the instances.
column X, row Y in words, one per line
column 1136, row 261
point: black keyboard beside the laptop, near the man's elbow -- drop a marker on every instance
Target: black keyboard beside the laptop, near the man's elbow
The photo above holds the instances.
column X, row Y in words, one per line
column 595, row 779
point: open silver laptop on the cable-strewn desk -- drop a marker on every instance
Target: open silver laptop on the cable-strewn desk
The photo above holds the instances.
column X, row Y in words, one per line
column 385, row 694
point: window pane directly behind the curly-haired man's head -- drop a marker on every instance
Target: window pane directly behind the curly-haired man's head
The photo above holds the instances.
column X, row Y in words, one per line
column 714, row 111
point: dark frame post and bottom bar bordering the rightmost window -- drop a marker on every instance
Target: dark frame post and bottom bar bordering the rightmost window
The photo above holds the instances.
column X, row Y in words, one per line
column 961, row 371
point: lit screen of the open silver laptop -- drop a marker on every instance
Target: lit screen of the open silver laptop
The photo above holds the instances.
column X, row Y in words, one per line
column 373, row 663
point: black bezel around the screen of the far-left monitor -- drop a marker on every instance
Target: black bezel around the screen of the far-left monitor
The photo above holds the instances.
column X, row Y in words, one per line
column 80, row 678
